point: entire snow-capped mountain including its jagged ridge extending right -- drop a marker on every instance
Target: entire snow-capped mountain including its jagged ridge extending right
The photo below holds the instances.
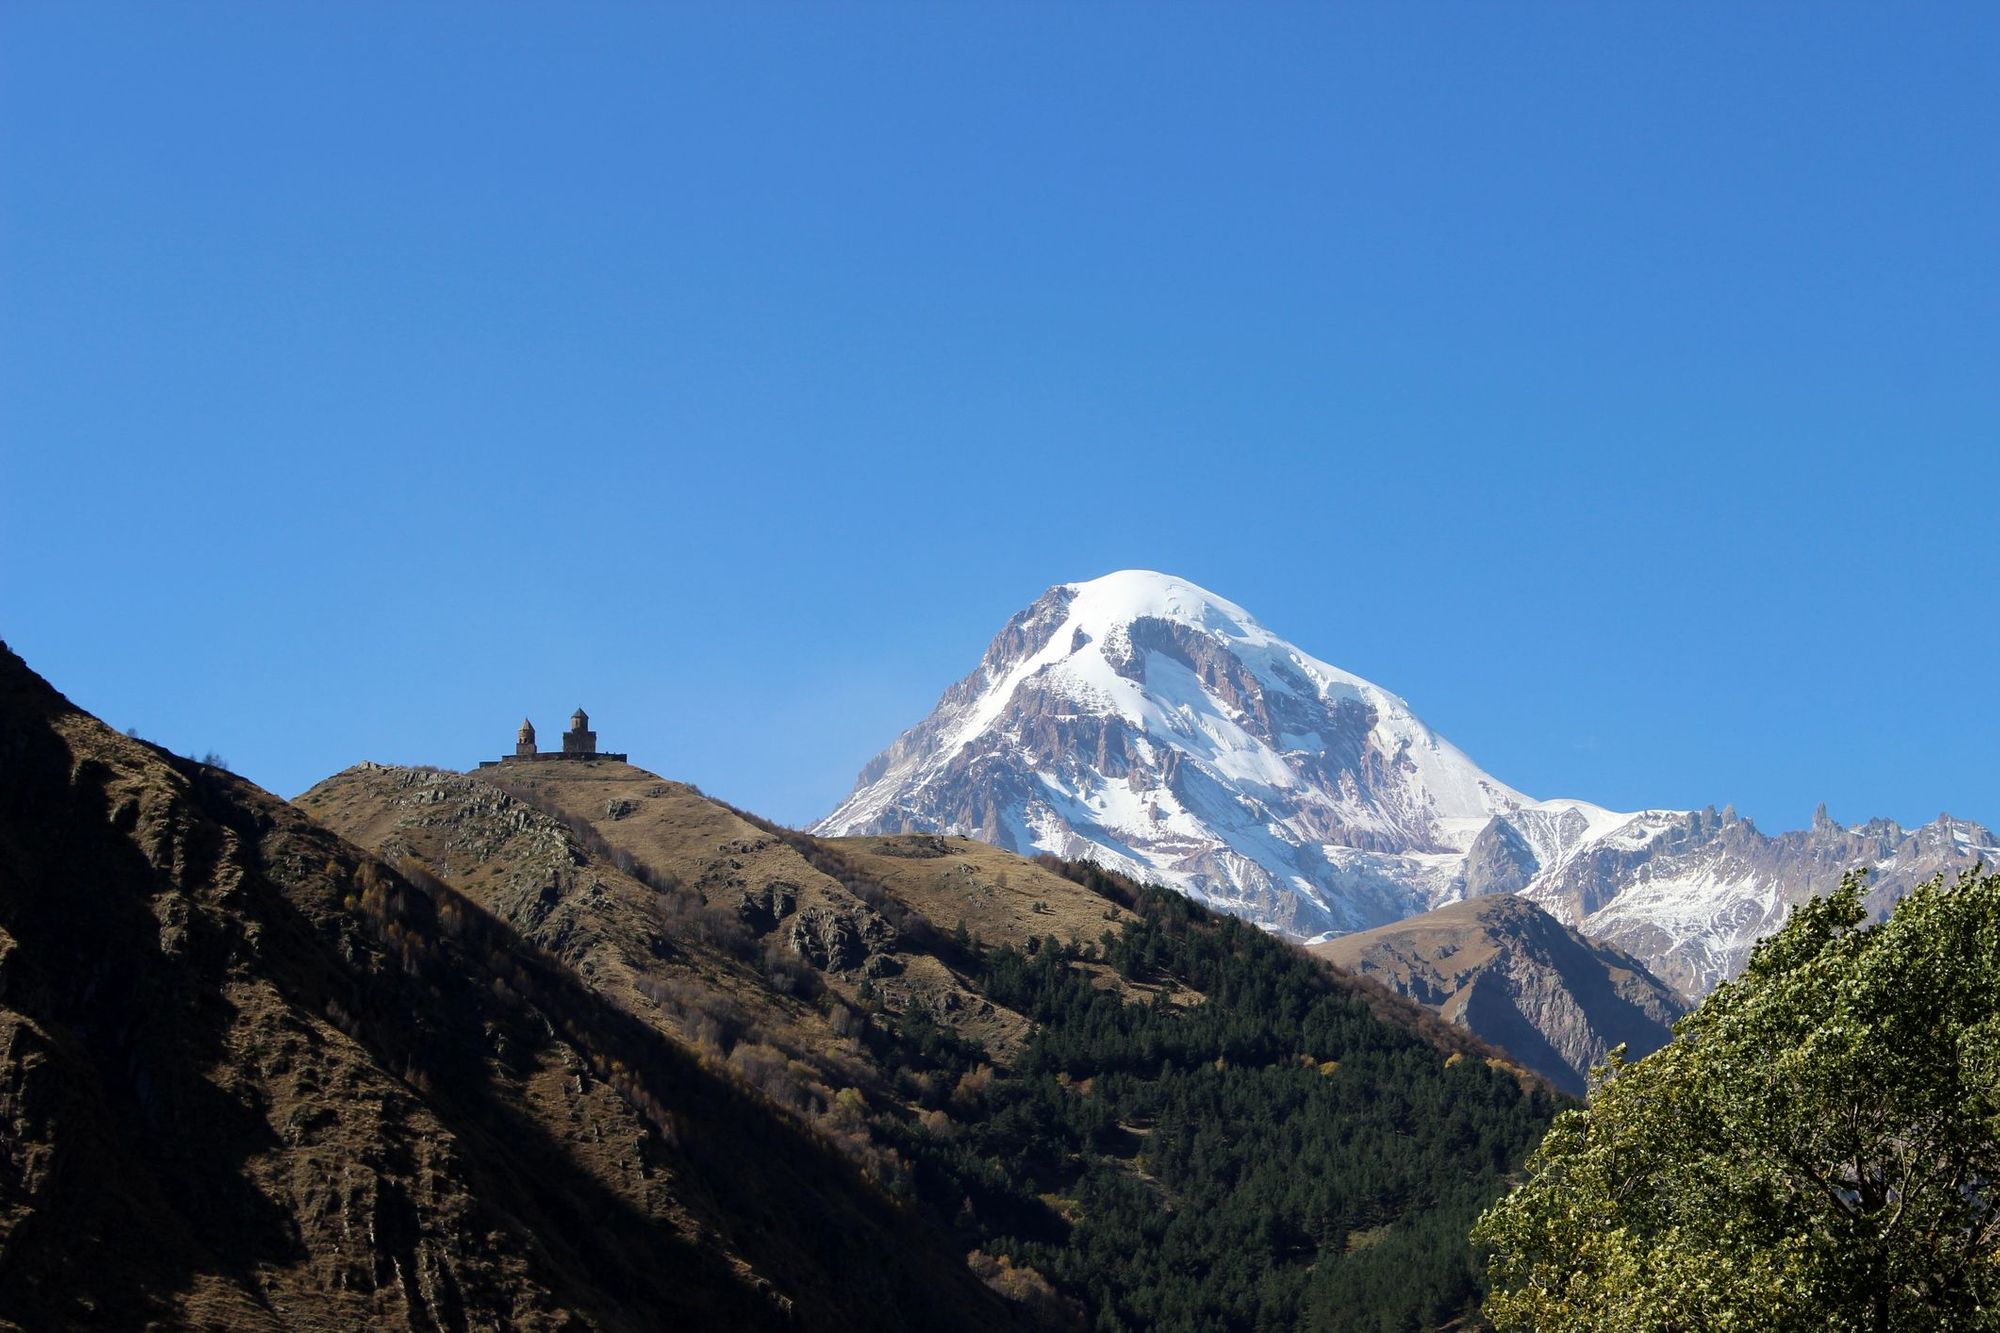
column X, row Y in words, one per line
column 1155, row 728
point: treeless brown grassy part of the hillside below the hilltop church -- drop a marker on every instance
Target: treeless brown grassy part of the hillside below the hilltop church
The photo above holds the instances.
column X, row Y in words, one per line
column 705, row 928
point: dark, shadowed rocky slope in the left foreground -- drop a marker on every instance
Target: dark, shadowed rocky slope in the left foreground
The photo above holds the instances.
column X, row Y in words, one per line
column 253, row 1078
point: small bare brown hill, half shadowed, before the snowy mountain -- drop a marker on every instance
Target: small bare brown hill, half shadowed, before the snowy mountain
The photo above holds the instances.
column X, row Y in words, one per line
column 1517, row 978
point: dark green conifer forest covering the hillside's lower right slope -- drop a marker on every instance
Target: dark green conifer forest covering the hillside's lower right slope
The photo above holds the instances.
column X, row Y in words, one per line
column 1269, row 1158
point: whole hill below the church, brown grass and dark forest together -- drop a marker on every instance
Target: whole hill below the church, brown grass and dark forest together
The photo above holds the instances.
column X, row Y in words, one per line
column 1105, row 1094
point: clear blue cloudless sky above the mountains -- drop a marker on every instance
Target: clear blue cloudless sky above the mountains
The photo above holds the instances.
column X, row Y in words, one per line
column 1617, row 383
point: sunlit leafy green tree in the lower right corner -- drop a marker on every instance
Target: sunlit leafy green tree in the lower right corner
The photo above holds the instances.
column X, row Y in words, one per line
column 1817, row 1148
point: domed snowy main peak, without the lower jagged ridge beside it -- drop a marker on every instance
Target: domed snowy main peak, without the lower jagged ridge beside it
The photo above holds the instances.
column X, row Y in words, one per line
column 1149, row 724
